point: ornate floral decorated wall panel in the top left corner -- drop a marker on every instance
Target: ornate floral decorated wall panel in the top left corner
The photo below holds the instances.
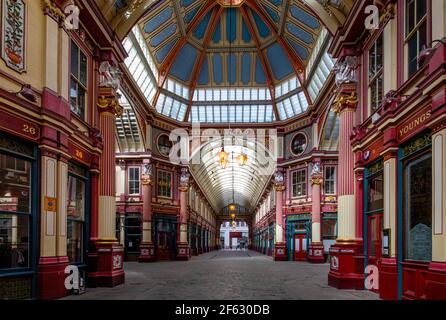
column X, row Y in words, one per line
column 13, row 34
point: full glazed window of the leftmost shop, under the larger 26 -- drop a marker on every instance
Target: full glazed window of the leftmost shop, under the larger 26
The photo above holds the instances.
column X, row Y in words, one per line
column 15, row 212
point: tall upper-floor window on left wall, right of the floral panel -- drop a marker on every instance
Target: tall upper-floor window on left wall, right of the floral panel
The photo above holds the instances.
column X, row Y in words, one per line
column 79, row 78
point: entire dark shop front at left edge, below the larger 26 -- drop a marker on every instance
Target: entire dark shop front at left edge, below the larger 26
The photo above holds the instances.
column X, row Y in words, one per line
column 18, row 218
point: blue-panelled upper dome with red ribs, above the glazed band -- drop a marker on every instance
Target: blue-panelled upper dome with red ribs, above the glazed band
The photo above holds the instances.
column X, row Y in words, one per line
column 230, row 43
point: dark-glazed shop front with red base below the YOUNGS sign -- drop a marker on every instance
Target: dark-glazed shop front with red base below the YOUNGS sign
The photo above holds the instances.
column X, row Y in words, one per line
column 414, row 216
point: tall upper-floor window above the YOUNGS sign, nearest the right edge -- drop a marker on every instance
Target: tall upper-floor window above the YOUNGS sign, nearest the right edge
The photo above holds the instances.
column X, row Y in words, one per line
column 416, row 32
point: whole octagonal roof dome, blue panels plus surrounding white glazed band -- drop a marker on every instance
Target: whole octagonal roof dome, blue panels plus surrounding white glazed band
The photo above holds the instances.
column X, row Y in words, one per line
column 229, row 64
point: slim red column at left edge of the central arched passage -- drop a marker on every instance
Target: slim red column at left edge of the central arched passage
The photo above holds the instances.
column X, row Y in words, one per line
column 183, row 249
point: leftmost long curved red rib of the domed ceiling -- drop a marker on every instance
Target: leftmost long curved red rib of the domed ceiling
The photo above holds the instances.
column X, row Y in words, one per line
column 165, row 68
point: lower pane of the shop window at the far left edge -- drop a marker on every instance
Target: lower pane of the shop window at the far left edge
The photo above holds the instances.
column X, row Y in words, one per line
column 14, row 241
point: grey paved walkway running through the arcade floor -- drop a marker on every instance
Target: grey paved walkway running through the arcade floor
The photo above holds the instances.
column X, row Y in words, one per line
column 225, row 275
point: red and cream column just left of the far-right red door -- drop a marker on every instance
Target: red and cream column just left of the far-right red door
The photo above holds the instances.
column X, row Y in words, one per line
column 316, row 248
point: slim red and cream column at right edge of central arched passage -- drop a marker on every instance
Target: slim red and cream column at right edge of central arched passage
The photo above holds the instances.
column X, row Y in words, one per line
column 279, row 244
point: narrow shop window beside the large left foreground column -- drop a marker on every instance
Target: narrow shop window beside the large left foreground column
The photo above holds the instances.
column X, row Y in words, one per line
column 76, row 217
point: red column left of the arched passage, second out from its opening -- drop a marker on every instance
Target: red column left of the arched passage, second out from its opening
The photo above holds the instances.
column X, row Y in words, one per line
column 147, row 249
